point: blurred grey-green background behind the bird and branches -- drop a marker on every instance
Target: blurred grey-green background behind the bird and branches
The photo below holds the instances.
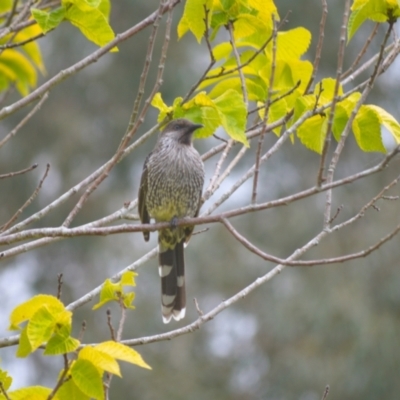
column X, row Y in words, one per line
column 308, row 327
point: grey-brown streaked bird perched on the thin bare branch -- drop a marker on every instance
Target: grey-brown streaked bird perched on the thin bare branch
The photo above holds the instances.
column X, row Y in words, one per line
column 170, row 189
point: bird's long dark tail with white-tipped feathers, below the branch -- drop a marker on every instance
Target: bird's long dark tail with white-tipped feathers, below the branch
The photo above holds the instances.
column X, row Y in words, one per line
column 172, row 273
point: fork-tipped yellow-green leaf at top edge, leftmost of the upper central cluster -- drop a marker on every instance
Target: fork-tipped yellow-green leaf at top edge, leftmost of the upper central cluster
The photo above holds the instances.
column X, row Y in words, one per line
column 193, row 19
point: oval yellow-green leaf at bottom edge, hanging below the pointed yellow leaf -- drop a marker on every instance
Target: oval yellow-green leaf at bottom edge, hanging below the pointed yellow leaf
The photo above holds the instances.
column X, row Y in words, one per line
column 87, row 378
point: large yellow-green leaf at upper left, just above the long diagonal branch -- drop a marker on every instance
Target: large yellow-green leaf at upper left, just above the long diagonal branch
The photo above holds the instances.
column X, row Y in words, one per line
column 92, row 23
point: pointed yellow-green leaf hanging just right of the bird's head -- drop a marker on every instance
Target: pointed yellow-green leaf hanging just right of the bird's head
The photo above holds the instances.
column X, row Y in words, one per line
column 232, row 112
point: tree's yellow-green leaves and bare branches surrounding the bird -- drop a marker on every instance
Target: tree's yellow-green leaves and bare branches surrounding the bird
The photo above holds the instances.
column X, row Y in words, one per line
column 258, row 81
